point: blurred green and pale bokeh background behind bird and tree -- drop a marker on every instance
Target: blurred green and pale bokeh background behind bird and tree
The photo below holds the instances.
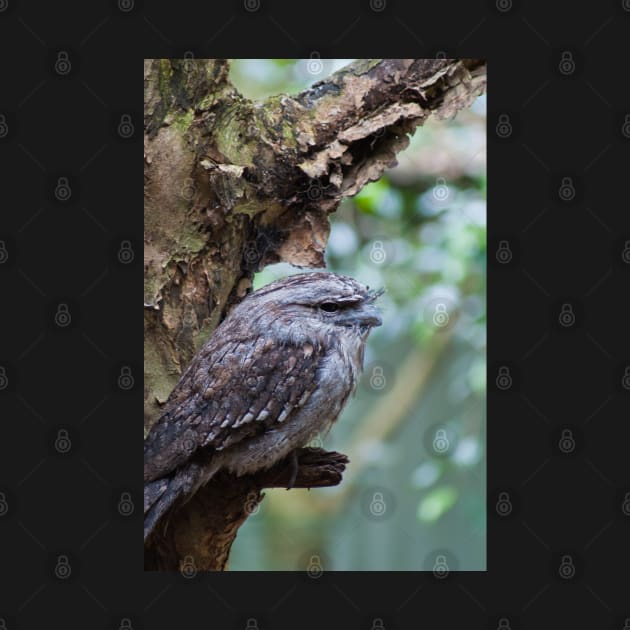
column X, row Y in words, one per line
column 413, row 496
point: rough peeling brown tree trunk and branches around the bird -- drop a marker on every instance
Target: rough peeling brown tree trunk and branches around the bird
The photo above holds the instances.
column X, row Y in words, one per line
column 230, row 186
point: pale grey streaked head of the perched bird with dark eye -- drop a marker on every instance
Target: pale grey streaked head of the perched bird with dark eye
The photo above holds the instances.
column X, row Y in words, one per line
column 312, row 305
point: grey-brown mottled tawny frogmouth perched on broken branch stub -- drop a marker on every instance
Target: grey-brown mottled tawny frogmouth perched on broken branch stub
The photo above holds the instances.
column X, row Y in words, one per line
column 274, row 374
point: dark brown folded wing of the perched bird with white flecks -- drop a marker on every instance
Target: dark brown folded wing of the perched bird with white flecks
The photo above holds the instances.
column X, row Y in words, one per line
column 229, row 393
